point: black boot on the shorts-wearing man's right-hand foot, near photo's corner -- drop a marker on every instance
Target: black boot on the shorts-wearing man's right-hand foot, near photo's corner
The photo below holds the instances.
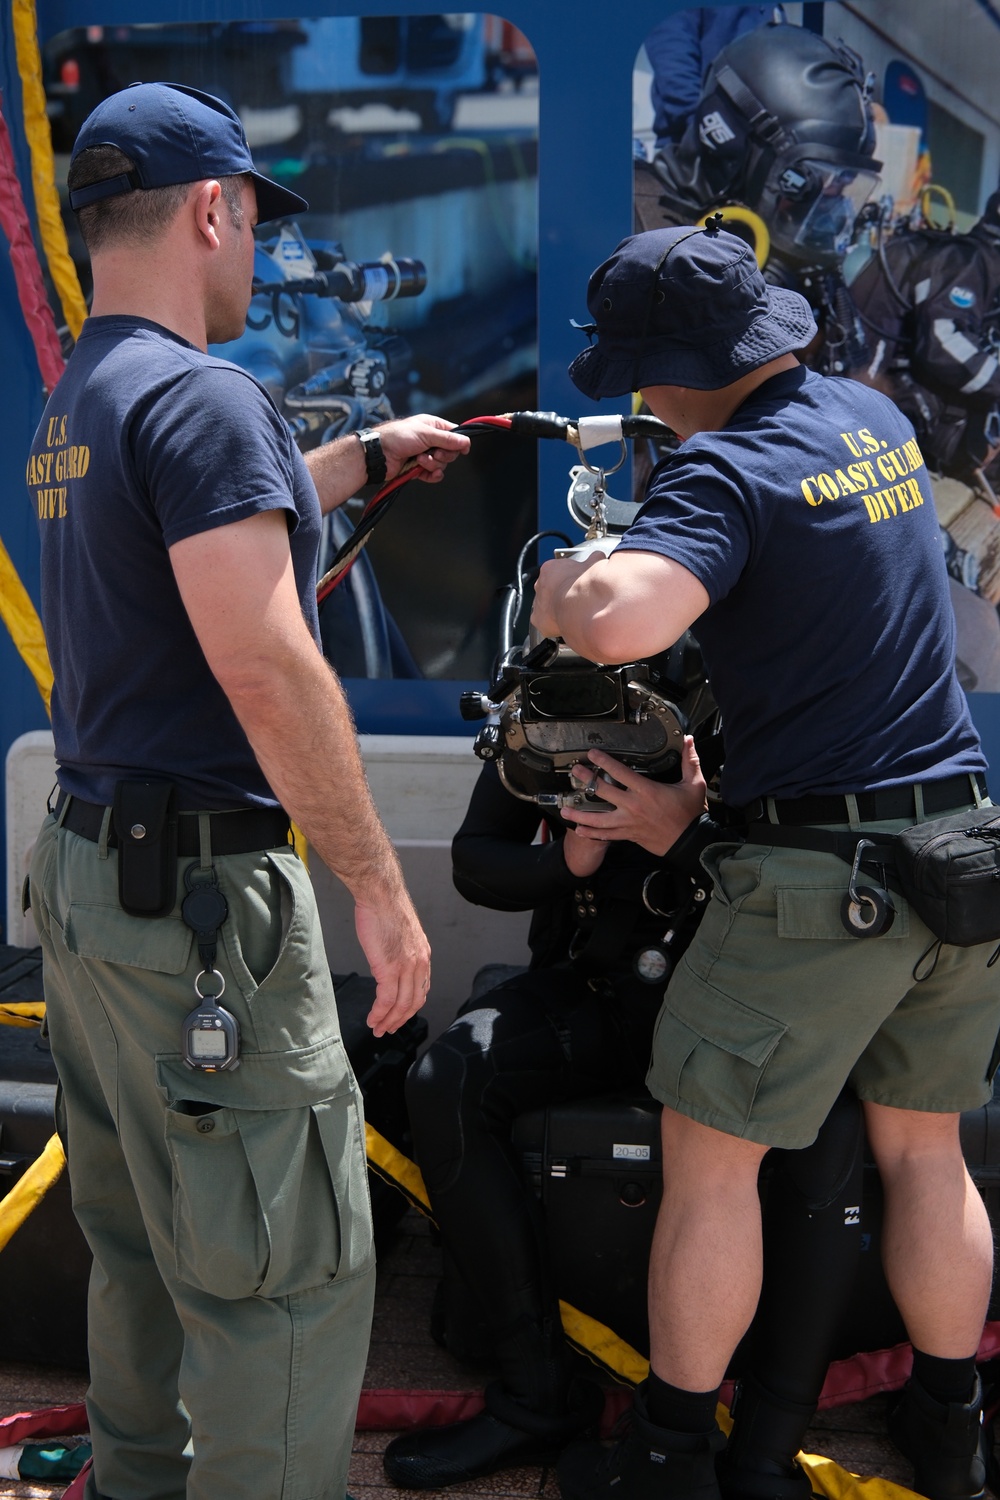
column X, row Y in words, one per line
column 945, row 1444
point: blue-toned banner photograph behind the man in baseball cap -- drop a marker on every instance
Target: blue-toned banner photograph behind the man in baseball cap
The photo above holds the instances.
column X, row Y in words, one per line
column 410, row 284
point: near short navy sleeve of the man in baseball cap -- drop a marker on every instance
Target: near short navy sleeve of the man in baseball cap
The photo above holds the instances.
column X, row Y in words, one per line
column 211, row 451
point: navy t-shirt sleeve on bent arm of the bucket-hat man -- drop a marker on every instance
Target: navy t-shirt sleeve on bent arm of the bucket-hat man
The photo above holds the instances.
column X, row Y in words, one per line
column 696, row 514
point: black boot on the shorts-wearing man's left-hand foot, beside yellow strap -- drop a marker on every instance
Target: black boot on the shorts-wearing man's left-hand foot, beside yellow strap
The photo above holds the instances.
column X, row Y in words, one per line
column 650, row 1463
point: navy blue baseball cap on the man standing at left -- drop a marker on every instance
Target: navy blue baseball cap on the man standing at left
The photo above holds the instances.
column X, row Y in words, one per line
column 175, row 136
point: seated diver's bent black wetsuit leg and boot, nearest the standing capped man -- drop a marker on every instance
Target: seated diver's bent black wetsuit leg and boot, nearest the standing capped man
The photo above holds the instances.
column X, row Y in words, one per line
column 542, row 1039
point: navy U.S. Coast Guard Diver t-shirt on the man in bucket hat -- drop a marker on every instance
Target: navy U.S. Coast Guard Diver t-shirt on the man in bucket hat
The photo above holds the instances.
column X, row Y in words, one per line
column 830, row 638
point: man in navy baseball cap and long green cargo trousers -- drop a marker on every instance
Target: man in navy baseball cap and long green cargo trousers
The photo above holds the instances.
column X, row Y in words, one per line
column 214, row 1126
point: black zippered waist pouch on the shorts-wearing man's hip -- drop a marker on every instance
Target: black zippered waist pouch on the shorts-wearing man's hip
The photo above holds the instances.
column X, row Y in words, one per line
column 950, row 874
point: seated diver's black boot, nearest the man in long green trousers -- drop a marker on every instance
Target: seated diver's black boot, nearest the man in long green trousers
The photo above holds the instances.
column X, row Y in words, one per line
column 530, row 1418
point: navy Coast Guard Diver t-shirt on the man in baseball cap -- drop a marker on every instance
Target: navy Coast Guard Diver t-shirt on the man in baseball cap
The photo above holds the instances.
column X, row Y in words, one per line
column 145, row 442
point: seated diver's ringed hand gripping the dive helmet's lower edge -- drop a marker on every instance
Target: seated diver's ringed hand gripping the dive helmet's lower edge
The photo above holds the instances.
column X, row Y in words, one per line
column 650, row 814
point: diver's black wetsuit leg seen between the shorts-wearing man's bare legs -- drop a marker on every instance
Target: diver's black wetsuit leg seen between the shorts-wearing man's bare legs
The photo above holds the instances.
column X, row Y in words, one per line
column 812, row 1243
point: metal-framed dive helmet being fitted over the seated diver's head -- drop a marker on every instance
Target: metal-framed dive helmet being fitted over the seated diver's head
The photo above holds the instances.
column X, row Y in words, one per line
column 546, row 706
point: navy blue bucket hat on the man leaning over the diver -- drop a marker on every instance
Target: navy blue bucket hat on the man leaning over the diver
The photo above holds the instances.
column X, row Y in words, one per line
column 684, row 307
